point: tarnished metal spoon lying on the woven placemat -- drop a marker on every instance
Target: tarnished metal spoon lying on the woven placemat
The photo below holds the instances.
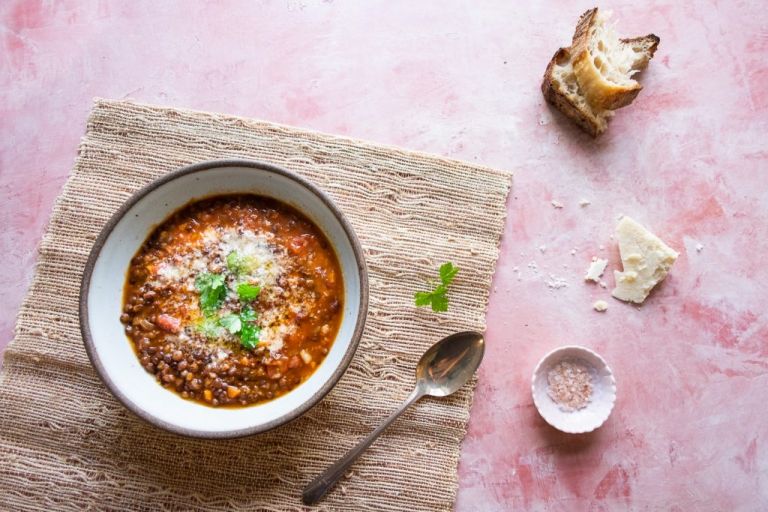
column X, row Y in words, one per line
column 442, row 370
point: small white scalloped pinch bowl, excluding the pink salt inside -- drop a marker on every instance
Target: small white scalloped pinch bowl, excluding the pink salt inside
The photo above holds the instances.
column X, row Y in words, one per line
column 603, row 391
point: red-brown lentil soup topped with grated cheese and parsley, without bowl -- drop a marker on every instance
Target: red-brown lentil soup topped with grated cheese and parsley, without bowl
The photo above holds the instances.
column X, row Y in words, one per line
column 233, row 300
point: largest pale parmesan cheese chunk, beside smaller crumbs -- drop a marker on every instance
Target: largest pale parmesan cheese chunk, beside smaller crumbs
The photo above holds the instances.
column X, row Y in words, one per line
column 646, row 259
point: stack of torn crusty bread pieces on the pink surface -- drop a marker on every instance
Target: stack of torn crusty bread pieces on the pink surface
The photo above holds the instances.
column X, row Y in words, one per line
column 565, row 89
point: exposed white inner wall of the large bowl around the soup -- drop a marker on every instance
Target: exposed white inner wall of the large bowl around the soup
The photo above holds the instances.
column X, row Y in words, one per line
column 112, row 347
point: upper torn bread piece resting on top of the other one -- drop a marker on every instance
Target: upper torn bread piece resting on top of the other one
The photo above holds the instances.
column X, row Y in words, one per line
column 603, row 64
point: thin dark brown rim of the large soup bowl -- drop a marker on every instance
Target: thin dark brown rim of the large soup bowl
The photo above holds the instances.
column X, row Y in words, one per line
column 173, row 175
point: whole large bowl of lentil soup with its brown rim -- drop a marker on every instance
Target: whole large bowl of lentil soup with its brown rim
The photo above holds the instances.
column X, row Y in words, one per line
column 224, row 299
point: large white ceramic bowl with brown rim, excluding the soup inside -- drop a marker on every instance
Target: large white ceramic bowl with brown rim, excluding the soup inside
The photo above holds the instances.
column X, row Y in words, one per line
column 101, row 296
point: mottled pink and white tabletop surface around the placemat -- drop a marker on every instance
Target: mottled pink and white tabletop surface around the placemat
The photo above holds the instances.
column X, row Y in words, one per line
column 461, row 79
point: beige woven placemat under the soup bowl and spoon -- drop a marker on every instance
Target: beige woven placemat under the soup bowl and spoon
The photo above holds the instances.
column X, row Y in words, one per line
column 66, row 443
